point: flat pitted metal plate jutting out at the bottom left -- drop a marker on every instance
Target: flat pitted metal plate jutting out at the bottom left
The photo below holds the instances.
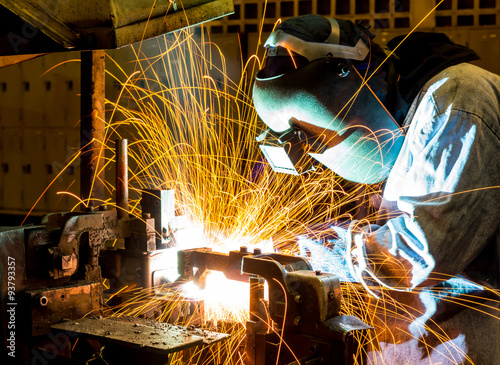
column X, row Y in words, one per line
column 137, row 340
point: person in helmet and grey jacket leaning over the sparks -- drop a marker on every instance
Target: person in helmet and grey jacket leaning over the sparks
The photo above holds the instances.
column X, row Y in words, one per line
column 418, row 118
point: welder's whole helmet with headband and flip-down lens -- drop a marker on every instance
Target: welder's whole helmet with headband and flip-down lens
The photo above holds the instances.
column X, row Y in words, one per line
column 311, row 93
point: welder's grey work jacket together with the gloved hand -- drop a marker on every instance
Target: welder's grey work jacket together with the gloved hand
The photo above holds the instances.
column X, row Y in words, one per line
column 435, row 251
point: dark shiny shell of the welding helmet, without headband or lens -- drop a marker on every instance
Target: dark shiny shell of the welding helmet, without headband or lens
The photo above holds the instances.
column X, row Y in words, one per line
column 325, row 100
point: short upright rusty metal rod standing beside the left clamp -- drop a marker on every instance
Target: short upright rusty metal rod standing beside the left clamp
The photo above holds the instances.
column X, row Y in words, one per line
column 122, row 178
